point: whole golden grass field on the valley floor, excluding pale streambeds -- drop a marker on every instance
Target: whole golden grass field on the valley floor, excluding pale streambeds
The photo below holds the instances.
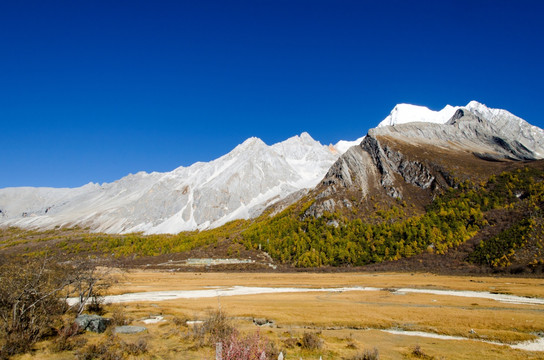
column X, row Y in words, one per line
column 342, row 318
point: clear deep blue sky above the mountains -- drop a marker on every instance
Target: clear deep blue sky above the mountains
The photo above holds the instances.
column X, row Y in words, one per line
column 94, row 90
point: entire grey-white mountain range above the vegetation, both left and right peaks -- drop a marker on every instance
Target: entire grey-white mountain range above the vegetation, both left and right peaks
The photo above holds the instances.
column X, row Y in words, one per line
column 254, row 175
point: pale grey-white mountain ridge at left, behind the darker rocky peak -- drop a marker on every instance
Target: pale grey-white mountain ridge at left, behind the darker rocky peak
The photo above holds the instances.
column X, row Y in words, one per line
column 237, row 185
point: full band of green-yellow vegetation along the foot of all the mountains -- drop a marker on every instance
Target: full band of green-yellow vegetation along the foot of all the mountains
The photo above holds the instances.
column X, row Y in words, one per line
column 502, row 216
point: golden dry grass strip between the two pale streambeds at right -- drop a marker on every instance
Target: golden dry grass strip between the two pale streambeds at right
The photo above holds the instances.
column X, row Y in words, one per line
column 377, row 310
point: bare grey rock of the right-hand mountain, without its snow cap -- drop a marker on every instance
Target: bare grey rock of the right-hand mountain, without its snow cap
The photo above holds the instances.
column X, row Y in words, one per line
column 479, row 134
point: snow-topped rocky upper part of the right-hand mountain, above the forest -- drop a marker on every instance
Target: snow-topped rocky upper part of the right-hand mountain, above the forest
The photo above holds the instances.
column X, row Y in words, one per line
column 411, row 160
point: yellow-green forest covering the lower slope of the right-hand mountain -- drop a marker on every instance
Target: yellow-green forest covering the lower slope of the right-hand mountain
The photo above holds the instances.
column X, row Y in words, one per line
column 450, row 220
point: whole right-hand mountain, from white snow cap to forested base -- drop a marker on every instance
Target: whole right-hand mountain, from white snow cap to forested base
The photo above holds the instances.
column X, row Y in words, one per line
column 459, row 193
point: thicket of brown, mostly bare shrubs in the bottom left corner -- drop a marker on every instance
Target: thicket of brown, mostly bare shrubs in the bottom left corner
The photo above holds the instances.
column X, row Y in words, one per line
column 32, row 293
